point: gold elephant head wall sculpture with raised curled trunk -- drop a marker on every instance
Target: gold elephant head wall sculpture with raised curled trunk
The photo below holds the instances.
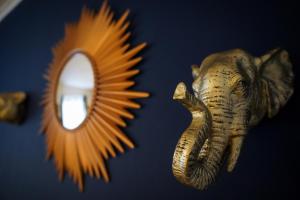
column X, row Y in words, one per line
column 233, row 91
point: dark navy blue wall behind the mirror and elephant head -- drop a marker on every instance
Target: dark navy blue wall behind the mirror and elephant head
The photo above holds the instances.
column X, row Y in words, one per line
column 180, row 33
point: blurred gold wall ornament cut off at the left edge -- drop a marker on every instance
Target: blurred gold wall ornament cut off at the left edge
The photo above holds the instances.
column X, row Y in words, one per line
column 12, row 107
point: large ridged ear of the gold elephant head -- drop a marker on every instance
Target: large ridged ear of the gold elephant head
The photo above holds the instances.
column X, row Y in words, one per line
column 275, row 69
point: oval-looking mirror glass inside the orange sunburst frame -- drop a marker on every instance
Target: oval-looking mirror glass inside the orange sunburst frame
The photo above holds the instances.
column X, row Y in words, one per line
column 75, row 91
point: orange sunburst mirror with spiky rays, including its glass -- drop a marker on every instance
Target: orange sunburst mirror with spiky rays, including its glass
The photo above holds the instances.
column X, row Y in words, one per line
column 87, row 96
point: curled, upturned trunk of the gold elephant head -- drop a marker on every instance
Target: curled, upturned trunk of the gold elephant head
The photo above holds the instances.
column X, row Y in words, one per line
column 200, row 149
